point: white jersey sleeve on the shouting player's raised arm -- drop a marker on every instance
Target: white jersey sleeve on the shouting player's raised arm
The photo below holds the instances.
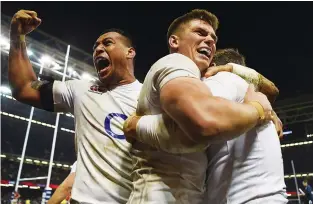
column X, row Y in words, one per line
column 63, row 96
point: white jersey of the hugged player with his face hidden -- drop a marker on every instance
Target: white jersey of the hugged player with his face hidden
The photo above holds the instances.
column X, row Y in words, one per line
column 248, row 168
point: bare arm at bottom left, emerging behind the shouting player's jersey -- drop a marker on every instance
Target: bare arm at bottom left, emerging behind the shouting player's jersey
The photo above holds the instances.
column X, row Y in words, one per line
column 63, row 190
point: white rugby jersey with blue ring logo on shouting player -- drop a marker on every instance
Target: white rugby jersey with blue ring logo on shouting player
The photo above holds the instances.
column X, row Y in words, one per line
column 104, row 163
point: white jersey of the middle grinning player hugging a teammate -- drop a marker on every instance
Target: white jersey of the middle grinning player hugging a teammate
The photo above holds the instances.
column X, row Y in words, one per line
column 161, row 177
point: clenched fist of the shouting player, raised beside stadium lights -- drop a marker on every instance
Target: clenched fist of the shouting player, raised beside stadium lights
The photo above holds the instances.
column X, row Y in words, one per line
column 24, row 22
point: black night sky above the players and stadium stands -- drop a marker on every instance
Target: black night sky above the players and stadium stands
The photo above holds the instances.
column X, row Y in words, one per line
column 275, row 37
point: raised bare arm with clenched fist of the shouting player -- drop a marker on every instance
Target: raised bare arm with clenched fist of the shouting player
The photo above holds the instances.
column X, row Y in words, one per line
column 22, row 78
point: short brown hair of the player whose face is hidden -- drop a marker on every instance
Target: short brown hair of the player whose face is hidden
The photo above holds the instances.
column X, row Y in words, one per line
column 224, row 56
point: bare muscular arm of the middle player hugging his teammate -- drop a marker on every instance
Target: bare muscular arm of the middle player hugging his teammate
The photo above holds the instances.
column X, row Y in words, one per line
column 201, row 115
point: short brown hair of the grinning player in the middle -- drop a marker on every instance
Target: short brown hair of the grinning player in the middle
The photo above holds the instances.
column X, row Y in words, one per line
column 201, row 14
